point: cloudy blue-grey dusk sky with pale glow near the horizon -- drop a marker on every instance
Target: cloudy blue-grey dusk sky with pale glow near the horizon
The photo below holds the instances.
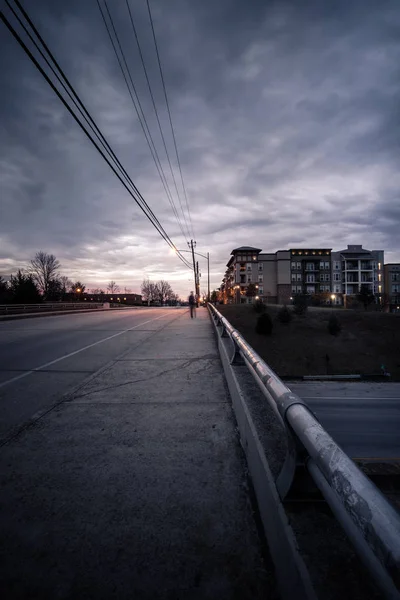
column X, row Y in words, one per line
column 287, row 122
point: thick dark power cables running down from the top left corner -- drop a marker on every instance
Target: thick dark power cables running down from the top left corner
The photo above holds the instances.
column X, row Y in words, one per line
column 140, row 202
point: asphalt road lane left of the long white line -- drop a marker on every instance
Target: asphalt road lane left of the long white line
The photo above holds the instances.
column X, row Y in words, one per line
column 43, row 359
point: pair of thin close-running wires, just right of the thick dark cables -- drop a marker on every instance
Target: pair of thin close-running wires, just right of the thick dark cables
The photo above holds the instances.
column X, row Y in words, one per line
column 142, row 118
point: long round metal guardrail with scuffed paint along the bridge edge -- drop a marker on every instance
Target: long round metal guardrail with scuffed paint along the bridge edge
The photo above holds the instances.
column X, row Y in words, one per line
column 370, row 522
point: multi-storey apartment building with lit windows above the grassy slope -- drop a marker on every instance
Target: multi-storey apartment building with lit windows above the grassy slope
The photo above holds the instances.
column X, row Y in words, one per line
column 280, row 275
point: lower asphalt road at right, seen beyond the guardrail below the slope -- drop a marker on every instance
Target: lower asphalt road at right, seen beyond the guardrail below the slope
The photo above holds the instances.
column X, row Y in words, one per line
column 363, row 418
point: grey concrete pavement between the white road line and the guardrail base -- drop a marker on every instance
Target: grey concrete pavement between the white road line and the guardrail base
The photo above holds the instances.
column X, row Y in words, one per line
column 136, row 486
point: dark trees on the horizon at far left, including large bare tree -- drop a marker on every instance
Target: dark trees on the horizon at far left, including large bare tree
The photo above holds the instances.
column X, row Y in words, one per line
column 42, row 281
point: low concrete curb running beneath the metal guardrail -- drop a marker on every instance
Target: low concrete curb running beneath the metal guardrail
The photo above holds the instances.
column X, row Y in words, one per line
column 291, row 573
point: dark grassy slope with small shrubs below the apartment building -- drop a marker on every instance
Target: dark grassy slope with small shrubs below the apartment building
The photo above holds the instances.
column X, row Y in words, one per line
column 304, row 346
